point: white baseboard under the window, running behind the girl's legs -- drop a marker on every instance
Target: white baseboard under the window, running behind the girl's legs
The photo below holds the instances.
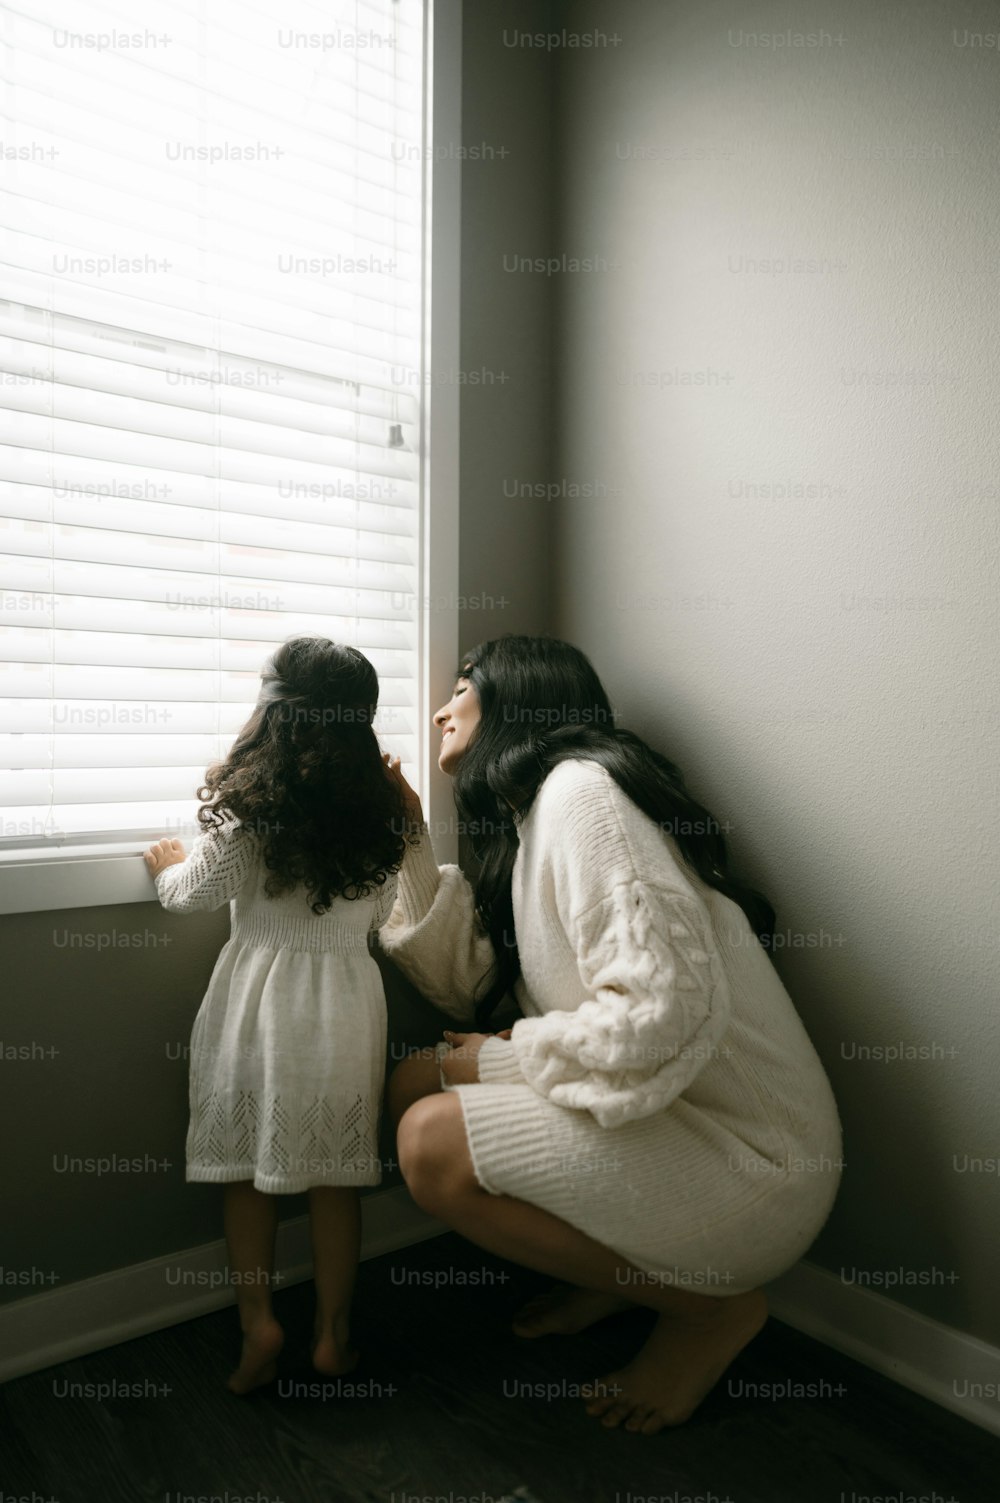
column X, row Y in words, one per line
column 92, row 1314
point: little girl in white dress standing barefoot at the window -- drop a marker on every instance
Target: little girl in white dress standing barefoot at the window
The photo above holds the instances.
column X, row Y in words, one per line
column 306, row 832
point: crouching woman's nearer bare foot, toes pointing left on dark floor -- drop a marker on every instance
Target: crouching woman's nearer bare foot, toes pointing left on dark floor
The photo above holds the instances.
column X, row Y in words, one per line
column 682, row 1361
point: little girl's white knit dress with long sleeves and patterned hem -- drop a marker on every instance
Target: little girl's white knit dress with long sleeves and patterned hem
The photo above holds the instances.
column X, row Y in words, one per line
column 288, row 1050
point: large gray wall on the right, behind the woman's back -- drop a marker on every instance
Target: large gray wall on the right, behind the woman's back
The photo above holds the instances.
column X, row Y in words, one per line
column 820, row 662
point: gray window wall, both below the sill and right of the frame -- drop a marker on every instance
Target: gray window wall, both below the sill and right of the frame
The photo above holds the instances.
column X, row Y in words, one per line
column 120, row 1017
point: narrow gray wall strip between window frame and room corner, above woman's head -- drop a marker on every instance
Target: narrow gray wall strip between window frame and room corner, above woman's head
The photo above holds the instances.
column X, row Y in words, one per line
column 506, row 425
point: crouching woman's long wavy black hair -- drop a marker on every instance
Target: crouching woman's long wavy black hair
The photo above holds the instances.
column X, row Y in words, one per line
column 542, row 704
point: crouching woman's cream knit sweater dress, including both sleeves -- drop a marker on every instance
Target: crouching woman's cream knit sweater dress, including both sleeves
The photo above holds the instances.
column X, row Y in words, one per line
column 659, row 1092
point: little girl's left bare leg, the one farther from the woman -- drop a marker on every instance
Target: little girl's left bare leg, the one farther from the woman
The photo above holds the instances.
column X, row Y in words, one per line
column 252, row 1223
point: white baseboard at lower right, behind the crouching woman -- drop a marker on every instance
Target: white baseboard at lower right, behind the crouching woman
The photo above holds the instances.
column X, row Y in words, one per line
column 939, row 1362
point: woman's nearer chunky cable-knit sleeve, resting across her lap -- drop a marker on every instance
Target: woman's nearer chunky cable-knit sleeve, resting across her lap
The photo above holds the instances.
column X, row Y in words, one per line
column 659, row 1008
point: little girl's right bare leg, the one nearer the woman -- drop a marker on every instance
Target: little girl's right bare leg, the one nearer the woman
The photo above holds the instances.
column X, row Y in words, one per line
column 336, row 1233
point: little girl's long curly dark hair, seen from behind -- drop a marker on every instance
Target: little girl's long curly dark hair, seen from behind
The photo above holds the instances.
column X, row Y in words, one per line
column 308, row 776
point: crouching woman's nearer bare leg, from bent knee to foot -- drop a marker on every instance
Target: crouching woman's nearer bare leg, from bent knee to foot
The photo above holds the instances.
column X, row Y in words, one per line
column 697, row 1335
